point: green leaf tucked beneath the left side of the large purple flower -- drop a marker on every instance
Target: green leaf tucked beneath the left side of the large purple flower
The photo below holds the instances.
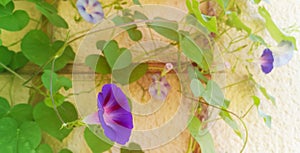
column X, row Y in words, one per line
column 96, row 144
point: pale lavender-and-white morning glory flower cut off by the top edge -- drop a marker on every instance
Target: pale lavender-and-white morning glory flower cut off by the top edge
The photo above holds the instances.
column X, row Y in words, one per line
column 90, row 10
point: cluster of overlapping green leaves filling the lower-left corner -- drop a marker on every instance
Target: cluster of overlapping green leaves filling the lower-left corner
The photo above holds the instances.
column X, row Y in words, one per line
column 22, row 126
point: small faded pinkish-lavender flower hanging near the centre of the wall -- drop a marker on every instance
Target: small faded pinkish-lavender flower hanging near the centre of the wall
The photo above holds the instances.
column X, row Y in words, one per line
column 159, row 88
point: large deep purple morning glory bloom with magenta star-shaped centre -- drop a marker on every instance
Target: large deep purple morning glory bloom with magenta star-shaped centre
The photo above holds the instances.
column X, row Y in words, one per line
column 113, row 114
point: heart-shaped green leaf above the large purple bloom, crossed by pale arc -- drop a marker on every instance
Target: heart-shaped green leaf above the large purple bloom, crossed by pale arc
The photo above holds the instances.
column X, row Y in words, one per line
column 116, row 58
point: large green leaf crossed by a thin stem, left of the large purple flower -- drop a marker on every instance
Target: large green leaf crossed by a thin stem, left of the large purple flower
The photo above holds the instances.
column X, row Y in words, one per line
column 49, row 121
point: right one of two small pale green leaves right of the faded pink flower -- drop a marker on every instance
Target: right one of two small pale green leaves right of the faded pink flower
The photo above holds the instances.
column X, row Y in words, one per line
column 213, row 94
